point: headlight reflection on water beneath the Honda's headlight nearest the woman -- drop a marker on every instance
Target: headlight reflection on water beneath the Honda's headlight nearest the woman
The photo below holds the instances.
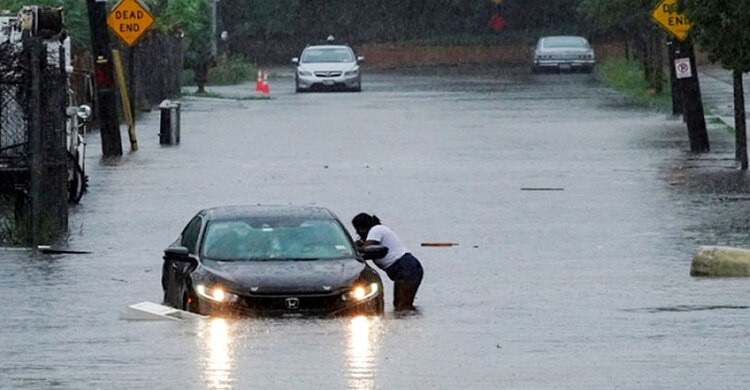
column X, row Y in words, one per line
column 362, row 341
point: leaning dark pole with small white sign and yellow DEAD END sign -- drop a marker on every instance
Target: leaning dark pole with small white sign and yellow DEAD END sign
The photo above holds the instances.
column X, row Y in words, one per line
column 684, row 72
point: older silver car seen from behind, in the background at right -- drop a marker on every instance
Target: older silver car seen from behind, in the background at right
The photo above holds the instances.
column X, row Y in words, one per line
column 562, row 53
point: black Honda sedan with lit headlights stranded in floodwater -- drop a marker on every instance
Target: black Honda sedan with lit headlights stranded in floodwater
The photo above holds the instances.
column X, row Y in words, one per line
column 270, row 260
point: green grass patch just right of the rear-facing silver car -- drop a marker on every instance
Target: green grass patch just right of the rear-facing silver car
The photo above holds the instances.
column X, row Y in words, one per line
column 628, row 78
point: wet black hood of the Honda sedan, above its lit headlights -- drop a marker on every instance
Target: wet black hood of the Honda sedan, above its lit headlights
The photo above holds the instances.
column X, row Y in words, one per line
column 266, row 277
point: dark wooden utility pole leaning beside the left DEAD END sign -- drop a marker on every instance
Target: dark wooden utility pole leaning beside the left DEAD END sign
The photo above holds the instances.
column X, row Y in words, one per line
column 104, row 77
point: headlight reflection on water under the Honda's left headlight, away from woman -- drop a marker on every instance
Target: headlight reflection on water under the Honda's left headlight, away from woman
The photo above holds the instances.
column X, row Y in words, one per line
column 217, row 353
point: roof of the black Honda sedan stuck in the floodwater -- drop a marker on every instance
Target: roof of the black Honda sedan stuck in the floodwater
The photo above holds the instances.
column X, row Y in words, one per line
column 280, row 211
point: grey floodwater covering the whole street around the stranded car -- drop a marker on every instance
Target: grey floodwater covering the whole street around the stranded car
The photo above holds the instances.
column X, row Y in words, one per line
column 574, row 213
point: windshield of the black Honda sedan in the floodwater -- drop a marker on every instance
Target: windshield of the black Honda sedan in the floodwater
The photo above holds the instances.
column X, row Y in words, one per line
column 243, row 240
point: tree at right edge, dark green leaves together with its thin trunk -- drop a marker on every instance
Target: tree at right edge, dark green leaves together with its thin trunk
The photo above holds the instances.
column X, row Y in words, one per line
column 720, row 27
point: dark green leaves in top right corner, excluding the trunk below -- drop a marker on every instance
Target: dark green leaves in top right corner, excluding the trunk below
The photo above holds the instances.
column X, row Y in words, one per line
column 720, row 27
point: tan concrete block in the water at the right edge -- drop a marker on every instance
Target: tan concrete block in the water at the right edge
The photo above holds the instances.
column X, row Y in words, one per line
column 721, row 261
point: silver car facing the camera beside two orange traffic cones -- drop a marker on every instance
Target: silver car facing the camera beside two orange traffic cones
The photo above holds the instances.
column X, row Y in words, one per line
column 328, row 67
